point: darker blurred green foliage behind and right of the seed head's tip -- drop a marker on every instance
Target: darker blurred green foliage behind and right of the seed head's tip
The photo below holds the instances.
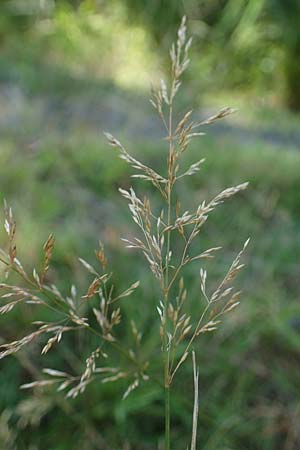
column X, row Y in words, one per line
column 246, row 42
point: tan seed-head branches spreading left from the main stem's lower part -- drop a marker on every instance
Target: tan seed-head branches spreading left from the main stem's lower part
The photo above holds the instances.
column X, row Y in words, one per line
column 39, row 293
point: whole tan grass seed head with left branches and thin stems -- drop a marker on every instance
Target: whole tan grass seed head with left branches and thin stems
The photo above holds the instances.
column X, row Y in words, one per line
column 168, row 238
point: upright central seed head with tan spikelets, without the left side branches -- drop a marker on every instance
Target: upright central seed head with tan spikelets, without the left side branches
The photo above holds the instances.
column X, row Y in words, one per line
column 177, row 327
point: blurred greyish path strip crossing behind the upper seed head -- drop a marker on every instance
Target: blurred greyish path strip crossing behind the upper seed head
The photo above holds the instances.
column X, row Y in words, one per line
column 39, row 115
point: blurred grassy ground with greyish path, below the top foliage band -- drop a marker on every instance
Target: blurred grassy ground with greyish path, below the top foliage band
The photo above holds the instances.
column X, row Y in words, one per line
column 60, row 176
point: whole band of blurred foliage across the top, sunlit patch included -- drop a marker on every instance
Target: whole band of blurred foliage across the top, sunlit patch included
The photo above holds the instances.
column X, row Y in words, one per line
column 239, row 44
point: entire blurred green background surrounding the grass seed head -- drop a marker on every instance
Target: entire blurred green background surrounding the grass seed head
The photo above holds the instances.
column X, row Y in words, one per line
column 68, row 71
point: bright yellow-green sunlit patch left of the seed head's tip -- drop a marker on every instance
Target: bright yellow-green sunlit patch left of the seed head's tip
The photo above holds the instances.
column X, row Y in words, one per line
column 102, row 44
